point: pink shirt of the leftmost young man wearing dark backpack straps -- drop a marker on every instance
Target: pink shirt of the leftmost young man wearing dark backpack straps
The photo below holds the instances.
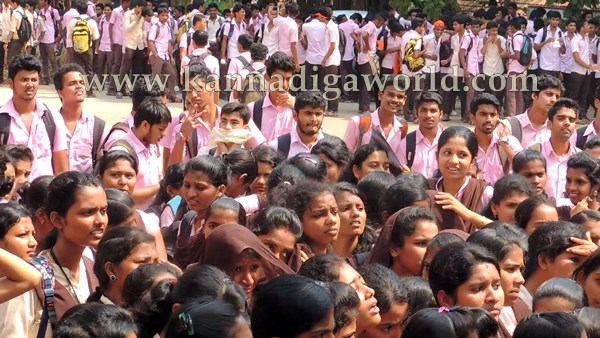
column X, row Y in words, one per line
column 37, row 137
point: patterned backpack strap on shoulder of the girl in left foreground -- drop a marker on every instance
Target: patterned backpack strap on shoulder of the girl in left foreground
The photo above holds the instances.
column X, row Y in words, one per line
column 47, row 298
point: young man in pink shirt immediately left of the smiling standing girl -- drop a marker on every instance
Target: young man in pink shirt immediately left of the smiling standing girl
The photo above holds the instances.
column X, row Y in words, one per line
column 422, row 159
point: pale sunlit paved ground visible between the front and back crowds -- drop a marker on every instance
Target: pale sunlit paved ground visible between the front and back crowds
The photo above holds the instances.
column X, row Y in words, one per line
column 113, row 110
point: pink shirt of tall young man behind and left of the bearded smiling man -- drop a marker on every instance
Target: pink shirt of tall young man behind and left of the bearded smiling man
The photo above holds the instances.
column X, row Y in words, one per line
column 276, row 121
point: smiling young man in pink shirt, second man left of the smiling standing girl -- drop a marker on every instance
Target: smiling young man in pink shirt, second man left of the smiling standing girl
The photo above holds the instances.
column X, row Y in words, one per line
column 383, row 119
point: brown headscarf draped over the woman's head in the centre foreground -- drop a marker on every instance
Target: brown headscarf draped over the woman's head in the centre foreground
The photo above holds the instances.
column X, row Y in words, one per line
column 224, row 245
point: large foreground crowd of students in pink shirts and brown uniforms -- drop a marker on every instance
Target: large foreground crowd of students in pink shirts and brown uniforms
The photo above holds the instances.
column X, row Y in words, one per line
column 256, row 223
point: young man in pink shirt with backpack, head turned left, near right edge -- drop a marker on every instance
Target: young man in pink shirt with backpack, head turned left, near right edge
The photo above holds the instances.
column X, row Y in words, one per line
column 532, row 126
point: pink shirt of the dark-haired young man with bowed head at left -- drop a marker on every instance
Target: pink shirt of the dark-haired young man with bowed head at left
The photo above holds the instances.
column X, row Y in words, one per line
column 148, row 165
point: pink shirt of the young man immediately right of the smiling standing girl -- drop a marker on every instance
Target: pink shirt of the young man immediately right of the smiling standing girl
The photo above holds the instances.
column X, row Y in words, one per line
column 489, row 162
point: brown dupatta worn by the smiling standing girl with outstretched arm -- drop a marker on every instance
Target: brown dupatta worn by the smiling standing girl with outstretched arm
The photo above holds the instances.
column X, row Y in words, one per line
column 471, row 199
